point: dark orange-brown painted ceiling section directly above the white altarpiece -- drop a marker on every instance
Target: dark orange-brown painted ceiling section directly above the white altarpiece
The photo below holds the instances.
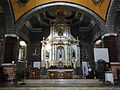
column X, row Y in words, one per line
column 61, row 16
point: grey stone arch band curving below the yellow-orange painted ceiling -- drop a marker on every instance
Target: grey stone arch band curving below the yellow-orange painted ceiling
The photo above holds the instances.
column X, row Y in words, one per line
column 39, row 9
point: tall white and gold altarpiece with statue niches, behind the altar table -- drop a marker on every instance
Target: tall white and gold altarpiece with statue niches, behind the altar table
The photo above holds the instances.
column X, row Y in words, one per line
column 60, row 46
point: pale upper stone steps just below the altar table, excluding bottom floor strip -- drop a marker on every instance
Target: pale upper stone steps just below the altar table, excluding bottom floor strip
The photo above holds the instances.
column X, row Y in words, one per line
column 63, row 83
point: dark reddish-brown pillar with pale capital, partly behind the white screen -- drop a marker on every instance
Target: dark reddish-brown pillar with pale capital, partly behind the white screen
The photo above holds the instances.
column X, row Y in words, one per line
column 110, row 42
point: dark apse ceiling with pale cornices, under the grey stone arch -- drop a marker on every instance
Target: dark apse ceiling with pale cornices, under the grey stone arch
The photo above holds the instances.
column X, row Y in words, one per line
column 76, row 19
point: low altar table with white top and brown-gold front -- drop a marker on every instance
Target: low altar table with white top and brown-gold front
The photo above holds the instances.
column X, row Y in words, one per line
column 60, row 73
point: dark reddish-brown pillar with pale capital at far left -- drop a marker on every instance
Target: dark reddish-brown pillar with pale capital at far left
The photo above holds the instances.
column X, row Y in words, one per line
column 10, row 49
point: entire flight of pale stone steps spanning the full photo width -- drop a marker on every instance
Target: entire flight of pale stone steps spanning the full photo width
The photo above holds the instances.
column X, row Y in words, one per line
column 61, row 84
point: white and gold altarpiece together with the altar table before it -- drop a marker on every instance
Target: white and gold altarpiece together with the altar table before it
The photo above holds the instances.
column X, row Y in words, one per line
column 60, row 52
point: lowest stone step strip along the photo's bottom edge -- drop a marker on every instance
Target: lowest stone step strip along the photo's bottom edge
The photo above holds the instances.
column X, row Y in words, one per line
column 61, row 88
